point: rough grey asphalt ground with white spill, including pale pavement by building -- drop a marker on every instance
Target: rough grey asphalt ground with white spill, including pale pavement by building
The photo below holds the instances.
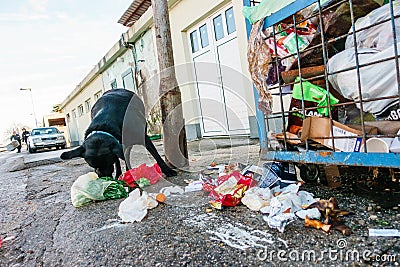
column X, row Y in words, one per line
column 40, row 227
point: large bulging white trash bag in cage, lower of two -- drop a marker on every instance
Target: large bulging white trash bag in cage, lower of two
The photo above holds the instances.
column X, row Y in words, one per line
column 377, row 80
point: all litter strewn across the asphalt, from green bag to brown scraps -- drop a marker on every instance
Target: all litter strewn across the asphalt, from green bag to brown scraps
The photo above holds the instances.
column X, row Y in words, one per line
column 273, row 190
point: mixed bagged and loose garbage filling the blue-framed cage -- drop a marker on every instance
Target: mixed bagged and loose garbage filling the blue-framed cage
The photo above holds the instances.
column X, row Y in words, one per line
column 338, row 89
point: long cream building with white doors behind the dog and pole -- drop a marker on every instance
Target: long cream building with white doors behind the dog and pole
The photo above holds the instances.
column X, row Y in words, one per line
column 209, row 43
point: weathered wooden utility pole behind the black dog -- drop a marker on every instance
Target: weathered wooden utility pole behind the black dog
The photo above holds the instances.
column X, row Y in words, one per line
column 175, row 146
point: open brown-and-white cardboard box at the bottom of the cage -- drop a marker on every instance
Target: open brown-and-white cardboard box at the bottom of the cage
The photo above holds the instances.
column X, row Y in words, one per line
column 316, row 128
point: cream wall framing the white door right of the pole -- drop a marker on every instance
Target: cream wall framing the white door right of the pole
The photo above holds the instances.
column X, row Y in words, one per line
column 184, row 15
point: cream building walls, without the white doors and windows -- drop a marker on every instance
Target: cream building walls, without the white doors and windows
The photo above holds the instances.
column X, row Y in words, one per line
column 142, row 61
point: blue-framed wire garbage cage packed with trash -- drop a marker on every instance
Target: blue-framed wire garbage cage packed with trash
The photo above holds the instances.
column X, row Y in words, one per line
column 367, row 63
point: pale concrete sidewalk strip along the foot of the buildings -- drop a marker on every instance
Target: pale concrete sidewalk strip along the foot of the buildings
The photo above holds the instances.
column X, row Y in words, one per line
column 201, row 153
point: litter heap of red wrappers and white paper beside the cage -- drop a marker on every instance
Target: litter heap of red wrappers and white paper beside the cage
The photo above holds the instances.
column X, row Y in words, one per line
column 274, row 191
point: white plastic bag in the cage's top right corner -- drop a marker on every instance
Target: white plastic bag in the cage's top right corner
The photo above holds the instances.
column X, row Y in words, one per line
column 379, row 36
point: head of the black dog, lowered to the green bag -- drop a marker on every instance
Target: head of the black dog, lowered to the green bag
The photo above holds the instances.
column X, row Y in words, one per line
column 100, row 152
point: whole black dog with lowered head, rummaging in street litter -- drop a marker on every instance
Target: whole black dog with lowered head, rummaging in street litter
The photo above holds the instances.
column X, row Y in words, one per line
column 118, row 112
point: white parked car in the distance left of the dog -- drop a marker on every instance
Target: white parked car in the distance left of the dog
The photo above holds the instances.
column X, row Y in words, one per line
column 46, row 137
